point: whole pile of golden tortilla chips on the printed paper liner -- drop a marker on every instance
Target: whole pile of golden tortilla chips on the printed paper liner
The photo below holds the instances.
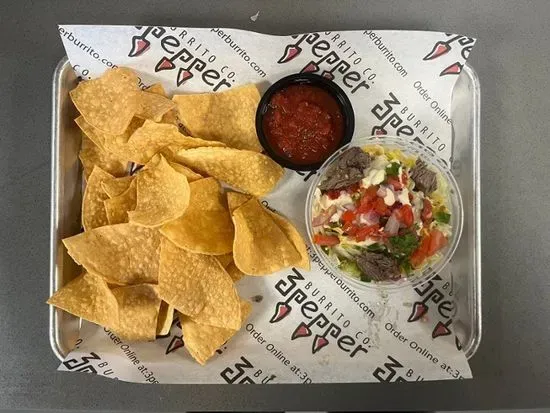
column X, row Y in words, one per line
column 170, row 239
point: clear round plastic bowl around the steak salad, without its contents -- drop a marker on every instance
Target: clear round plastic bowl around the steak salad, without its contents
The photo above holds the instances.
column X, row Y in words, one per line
column 424, row 274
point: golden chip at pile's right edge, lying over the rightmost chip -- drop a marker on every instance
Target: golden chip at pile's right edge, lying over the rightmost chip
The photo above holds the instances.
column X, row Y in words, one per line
column 260, row 247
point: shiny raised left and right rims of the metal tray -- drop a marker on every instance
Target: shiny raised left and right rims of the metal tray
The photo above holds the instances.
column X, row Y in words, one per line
column 471, row 346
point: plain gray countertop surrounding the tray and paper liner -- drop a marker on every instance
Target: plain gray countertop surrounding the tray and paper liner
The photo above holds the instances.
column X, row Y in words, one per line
column 511, row 368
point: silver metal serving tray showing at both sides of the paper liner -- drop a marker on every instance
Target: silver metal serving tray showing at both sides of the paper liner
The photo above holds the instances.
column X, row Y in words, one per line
column 66, row 200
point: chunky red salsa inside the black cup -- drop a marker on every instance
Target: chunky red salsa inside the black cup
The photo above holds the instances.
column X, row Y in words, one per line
column 303, row 124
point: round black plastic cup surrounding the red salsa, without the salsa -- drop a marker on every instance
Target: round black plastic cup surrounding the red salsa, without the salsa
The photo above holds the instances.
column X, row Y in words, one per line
column 313, row 80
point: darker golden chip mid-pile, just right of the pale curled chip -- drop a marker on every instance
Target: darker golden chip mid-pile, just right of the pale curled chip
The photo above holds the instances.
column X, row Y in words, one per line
column 206, row 226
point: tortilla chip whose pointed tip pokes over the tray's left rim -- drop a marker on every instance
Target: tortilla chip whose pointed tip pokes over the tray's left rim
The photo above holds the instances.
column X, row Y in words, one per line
column 89, row 297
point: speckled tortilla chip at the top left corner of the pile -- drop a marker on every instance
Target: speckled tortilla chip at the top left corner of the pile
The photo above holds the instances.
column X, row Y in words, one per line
column 109, row 102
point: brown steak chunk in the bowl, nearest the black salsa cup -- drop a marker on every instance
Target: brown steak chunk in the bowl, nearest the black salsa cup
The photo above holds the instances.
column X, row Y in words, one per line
column 347, row 170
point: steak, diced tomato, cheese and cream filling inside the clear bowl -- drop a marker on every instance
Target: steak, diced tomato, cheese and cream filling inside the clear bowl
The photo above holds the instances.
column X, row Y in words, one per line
column 381, row 214
